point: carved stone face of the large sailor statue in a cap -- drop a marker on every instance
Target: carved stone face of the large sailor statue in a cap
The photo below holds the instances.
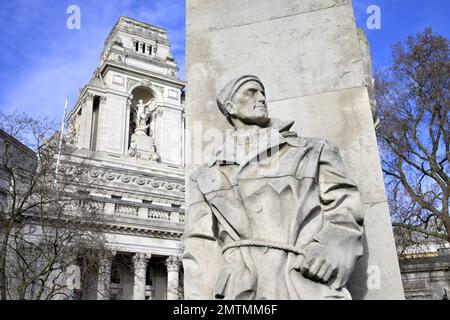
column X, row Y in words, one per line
column 249, row 104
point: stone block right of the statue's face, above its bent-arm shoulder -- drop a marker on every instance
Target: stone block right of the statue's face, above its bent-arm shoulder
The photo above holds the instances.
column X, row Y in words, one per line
column 341, row 117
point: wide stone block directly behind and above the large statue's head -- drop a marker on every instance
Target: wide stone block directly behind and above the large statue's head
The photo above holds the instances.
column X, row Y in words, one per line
column 299, row 55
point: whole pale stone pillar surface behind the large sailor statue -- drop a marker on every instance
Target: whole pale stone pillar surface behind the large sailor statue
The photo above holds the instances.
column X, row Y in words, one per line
column 308, row 55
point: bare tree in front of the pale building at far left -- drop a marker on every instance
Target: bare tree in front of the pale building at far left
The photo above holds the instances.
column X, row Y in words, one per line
column 48, row 222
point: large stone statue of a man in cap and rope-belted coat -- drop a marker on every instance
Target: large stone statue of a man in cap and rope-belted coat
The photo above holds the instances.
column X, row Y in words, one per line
column 270, row 218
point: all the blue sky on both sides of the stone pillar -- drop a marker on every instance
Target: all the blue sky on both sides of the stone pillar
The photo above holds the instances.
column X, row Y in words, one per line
column 42, row 61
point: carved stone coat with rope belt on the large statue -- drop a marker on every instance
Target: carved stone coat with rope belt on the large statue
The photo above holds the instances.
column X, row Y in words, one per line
column 300, row 194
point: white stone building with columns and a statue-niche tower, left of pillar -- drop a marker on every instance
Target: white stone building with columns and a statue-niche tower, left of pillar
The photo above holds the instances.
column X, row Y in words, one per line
column 128, row 128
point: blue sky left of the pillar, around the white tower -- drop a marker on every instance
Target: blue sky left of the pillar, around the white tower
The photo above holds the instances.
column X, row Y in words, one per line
column 42, row 61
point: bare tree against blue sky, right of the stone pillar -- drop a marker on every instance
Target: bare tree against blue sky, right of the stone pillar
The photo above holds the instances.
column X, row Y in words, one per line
column 413, row 100
